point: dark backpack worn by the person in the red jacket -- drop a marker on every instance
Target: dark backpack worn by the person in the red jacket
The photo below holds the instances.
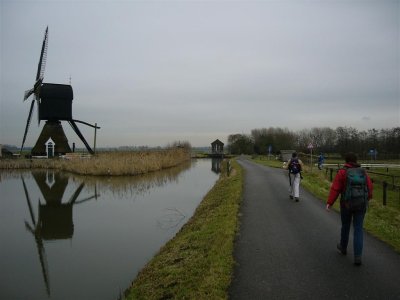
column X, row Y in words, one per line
column 355, row 196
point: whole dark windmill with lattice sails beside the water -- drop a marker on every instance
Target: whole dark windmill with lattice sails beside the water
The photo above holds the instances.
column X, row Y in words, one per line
column 54, row 104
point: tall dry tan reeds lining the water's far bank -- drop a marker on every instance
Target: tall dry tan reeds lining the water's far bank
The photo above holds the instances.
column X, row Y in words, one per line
column 107, row 163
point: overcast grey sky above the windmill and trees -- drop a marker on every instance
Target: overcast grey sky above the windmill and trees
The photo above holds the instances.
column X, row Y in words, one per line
column 154, row 72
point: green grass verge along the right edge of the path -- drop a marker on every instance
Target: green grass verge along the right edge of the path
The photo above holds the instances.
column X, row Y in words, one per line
column 381, row 221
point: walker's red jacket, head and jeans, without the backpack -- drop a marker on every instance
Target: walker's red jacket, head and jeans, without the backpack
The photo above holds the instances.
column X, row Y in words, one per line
column 347, row 215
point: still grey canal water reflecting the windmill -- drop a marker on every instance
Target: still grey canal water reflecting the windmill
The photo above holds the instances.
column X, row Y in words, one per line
column 65, row 236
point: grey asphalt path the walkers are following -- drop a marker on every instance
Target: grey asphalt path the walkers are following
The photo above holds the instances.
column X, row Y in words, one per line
column 287, row 249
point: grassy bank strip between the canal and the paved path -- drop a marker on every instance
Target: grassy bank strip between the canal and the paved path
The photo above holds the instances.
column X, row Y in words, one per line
column 198, row 262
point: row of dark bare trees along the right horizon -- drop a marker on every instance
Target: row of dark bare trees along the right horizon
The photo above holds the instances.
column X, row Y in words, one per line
column 383, row 143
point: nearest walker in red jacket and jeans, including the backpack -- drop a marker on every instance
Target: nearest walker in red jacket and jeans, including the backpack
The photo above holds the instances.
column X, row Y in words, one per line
column 355, row 188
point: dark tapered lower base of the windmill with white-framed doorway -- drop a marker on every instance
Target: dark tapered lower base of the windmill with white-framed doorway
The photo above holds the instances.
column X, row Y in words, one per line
column 54, row 131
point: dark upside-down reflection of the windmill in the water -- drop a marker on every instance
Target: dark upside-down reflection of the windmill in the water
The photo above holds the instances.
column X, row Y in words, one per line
column 55, row 219
